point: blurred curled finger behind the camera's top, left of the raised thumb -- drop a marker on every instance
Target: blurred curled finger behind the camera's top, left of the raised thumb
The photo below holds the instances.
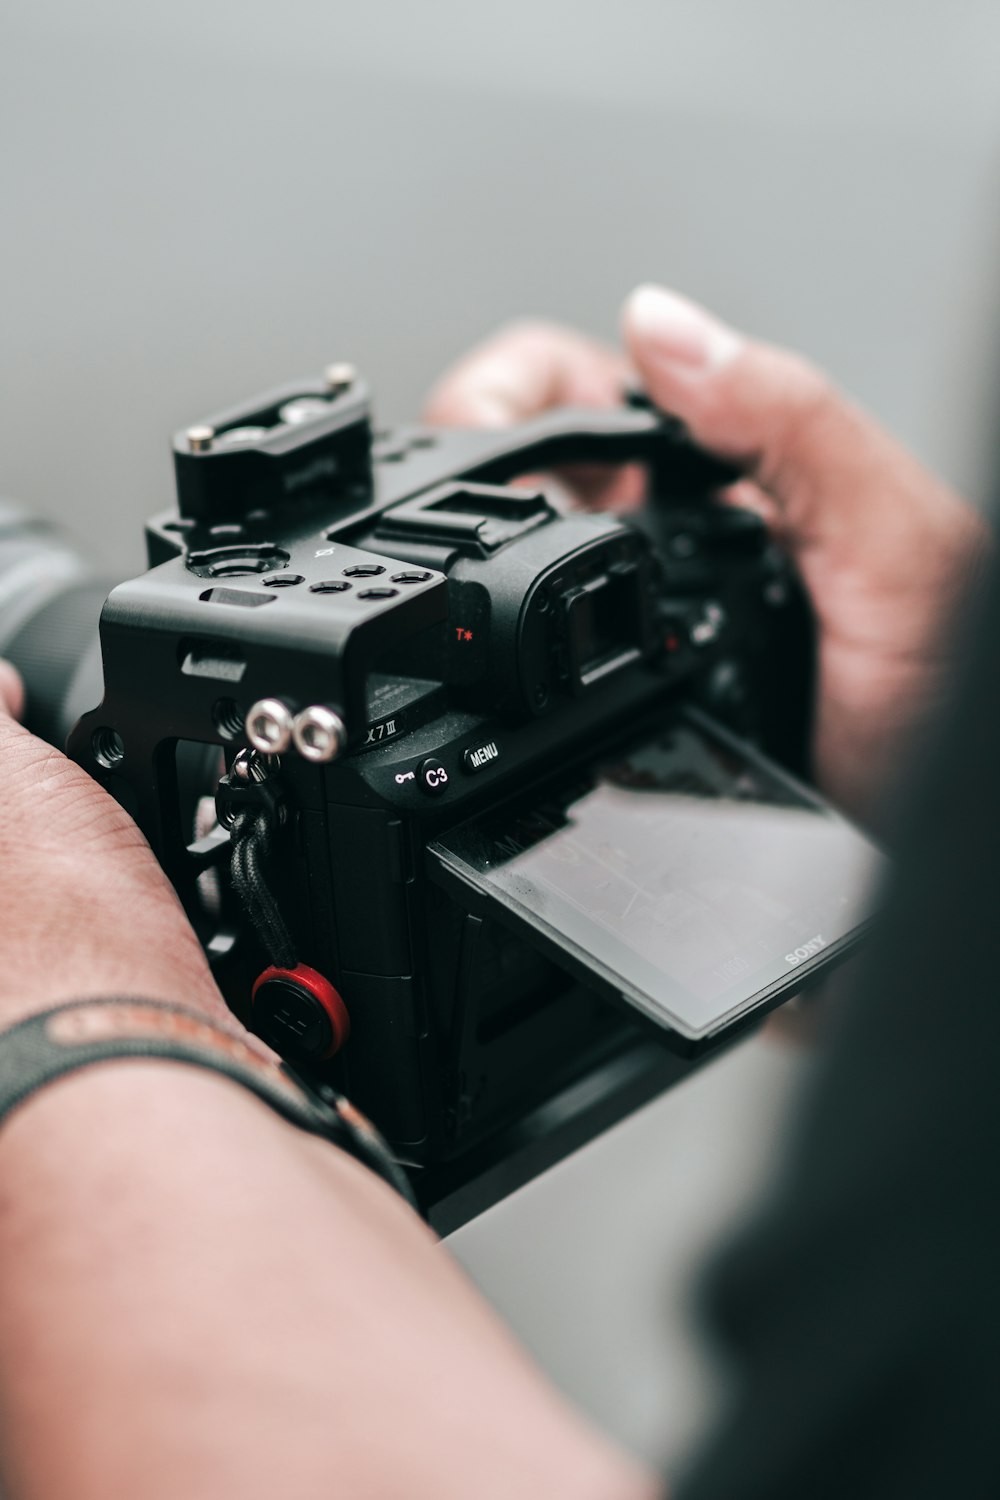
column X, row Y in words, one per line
column 522, row 371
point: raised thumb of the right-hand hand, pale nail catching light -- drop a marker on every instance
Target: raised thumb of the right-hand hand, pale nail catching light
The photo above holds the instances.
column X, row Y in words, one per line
column 837, row 481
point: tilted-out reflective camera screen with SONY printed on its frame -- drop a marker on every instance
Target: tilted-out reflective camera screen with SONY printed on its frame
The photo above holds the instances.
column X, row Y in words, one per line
column 690, row 874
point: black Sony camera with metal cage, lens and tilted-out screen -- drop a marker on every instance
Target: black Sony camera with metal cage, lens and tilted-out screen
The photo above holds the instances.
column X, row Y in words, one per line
column 466, row 793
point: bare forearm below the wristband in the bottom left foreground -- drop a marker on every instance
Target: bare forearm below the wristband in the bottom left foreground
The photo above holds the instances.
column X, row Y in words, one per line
column 200, row 1300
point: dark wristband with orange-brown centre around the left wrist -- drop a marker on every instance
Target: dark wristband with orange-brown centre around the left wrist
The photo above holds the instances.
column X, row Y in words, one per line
column 56, row 1043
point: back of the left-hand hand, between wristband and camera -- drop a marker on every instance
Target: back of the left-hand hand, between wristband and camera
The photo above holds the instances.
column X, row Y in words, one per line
column 85, row 908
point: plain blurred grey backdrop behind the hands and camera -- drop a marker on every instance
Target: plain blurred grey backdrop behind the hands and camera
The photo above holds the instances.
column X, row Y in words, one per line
column 206, row 197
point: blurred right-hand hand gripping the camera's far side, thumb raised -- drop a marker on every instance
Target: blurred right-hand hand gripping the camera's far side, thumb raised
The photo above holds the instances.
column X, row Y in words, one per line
column 885, row 550
